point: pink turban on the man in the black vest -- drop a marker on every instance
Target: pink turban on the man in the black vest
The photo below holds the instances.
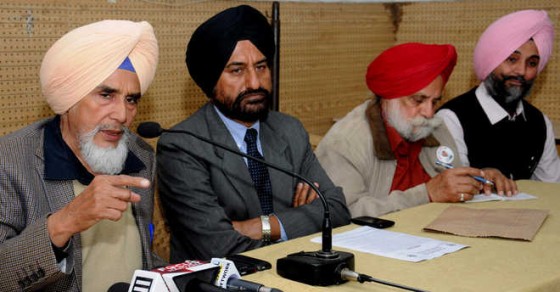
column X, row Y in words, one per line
column 510, row 32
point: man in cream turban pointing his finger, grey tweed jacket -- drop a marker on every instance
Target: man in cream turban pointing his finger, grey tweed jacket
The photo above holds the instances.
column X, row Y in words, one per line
column 76, row 196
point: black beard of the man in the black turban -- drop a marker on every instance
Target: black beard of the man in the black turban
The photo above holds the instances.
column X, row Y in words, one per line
column 236, row 112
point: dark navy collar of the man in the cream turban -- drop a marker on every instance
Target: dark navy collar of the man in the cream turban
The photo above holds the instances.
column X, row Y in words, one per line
column 62, row 164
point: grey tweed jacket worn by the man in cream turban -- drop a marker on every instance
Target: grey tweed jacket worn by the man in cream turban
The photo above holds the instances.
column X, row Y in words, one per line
column 27, row 260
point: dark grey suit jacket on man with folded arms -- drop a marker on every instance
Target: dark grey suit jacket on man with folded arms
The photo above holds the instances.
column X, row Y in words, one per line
column 203, row 188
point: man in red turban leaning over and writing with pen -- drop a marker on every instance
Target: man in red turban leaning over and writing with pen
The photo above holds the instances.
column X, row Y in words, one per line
column 384, row 152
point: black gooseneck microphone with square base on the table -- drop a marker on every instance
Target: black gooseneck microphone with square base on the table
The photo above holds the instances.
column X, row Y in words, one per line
column 314, row 268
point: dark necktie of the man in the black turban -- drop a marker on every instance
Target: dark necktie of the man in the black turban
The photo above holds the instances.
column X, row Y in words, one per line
column 259, row 173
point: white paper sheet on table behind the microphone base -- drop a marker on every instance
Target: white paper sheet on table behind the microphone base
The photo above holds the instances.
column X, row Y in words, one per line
column 393, row 244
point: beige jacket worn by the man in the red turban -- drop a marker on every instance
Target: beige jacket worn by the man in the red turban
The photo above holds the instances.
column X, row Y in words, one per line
column 364, row 168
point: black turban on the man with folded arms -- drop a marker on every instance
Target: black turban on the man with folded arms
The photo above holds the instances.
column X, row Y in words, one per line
column 213, row 42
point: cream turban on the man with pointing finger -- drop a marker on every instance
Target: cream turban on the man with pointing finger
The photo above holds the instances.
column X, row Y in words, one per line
column 86, row 56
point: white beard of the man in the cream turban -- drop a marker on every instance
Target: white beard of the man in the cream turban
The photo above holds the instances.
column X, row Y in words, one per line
column 104, row 160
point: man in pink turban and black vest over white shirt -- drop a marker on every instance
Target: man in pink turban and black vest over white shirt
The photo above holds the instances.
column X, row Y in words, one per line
column 492, row 124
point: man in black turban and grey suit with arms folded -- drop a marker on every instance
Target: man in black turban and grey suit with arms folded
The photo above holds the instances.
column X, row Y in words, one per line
column 218, row 203
